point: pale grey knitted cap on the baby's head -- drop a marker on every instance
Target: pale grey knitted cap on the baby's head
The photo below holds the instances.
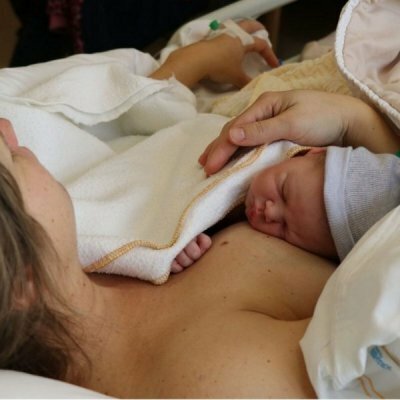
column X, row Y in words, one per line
column 360, row 188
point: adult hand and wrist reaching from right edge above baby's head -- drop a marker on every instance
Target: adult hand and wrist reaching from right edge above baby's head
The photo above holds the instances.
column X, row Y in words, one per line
column 305, row 117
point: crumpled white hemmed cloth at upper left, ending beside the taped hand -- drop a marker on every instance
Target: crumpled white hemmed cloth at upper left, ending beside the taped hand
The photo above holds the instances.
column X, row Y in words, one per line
column 90, row 89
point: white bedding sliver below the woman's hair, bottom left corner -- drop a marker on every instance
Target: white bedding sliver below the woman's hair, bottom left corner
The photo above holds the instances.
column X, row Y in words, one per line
column 20, row 385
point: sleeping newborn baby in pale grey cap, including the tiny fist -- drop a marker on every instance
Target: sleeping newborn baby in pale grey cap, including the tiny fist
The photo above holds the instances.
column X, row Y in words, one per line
column 321, row 199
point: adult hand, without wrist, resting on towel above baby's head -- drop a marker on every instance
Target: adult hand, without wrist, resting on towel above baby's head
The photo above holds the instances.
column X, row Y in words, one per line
column 305, row 117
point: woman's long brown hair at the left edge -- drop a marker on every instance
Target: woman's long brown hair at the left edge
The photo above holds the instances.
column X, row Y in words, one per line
column 34, row 337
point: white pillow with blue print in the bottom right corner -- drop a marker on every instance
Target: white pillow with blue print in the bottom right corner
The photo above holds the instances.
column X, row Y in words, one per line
column 352, row 345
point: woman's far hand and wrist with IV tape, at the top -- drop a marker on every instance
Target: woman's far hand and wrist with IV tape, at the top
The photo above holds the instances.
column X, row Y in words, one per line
column 218, row 59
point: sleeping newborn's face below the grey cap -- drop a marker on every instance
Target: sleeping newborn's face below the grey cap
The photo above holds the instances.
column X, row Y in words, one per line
column 287, row 201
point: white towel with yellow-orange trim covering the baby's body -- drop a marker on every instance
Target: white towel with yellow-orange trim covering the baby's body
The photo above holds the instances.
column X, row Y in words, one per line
column 137, row 210
